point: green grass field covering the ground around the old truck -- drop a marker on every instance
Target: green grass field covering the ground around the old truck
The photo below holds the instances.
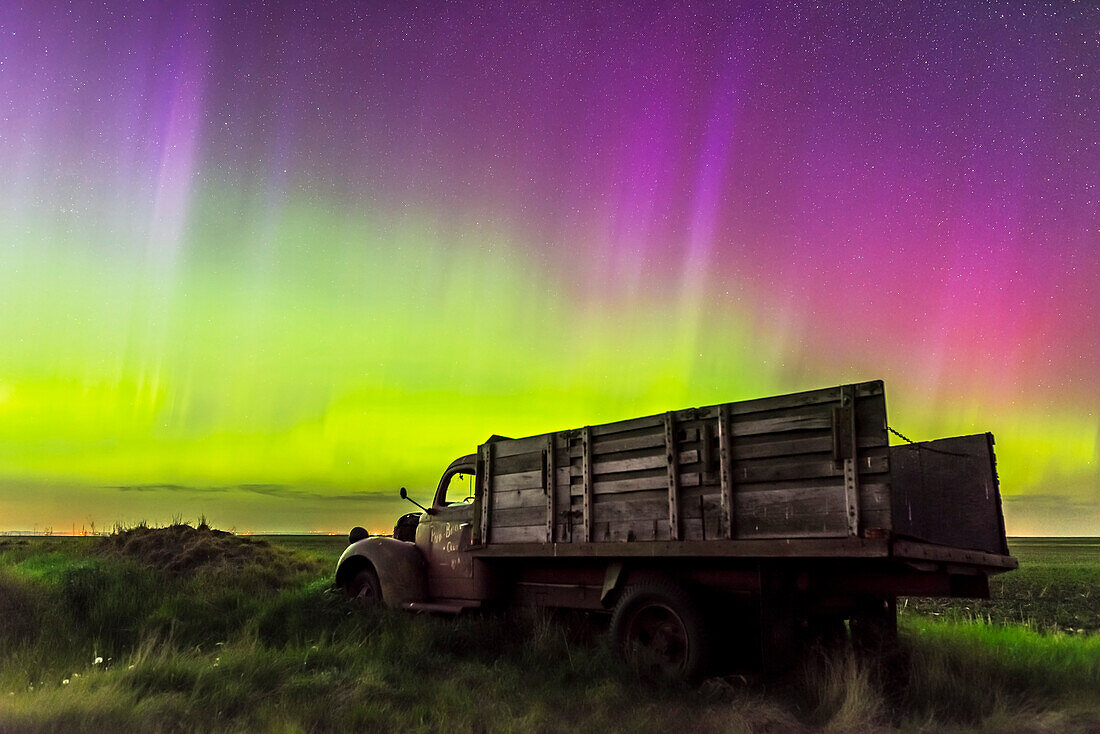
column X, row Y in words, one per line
column 200, row 632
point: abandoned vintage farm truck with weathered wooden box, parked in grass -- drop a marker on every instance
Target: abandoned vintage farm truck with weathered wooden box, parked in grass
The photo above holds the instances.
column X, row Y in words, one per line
column 734, row 531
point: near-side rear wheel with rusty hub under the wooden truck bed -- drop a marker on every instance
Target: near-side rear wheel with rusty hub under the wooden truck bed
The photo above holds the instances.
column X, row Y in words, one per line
column 658, row 628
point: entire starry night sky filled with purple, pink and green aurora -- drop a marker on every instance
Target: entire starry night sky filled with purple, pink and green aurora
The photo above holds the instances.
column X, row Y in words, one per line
column 271, row 261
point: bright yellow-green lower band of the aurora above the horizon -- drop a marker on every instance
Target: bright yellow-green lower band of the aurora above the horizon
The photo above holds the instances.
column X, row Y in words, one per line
column 325, row 356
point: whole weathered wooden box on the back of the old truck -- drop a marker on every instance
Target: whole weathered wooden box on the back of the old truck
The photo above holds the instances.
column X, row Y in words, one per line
column 806, row 475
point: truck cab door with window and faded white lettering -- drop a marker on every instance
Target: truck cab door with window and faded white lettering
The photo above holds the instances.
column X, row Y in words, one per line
column 447, row 535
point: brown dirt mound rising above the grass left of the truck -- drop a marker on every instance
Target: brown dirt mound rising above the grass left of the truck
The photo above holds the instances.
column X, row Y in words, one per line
column 183, row 550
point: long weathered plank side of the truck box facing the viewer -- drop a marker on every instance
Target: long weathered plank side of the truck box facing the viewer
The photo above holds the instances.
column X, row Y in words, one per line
column 758, row 469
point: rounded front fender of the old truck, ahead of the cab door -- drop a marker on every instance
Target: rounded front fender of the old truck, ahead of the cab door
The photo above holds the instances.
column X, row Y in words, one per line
column 400, row 566
